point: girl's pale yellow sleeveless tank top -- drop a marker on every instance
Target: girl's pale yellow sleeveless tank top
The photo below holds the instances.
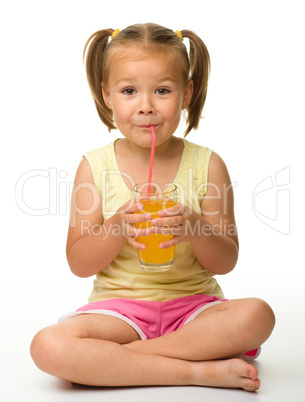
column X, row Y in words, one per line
column 124, row 278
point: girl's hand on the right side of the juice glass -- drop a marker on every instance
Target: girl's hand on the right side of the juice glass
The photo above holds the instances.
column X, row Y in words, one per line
column 180, row 221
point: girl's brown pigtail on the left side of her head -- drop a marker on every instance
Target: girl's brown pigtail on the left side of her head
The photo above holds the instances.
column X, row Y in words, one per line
column 95, row 69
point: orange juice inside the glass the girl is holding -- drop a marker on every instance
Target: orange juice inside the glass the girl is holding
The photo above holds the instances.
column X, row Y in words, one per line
column 153, row 257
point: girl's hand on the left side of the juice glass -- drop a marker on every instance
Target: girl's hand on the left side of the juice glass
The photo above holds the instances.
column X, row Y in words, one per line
column 130, row 214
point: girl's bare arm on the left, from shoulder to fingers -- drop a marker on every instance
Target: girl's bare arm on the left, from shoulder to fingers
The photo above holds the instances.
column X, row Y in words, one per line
column 91, row 243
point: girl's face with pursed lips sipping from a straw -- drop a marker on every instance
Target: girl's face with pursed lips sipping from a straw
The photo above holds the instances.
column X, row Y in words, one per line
column 145, row 89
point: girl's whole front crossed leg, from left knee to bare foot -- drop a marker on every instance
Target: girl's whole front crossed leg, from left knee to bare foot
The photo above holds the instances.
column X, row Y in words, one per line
column 75, row 350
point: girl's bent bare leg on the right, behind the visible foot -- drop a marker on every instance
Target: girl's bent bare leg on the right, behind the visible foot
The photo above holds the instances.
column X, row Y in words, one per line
column 222, row 331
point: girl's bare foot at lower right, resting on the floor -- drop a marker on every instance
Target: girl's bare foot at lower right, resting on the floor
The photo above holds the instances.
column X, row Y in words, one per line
column 233, row 373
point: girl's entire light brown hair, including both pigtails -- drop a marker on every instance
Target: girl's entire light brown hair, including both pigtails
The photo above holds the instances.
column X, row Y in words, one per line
column 195, row 66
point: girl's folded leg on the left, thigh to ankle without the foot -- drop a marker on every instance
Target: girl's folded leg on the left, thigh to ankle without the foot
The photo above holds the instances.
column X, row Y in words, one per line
column 79, row 350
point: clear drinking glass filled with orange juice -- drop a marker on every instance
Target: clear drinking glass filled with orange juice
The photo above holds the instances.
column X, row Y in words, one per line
column 162, row 195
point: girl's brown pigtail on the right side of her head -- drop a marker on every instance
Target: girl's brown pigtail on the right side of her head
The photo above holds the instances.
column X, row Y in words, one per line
column 200, row 69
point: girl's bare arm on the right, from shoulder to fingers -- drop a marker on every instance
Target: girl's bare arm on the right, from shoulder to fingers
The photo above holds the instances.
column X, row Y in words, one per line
column 211, row 233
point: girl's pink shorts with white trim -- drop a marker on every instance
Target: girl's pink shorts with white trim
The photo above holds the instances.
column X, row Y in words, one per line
column 149, row 318
